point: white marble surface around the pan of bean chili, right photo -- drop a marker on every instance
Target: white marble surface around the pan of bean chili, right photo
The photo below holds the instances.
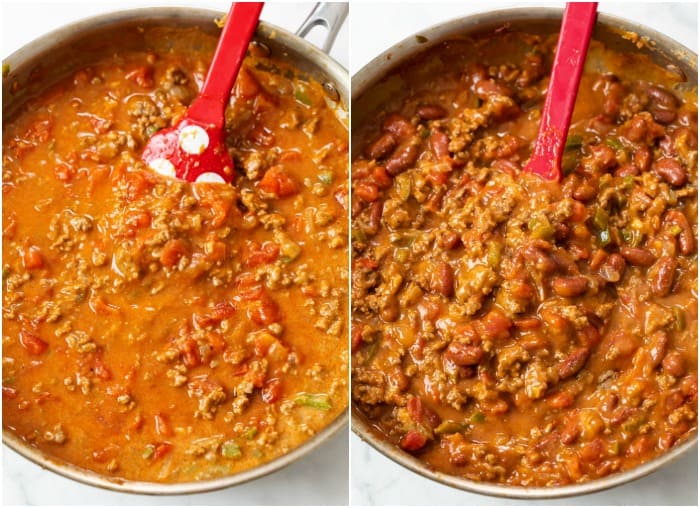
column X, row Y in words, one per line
column 376, row 480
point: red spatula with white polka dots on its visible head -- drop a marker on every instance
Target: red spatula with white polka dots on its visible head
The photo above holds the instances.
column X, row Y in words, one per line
column 194, row 148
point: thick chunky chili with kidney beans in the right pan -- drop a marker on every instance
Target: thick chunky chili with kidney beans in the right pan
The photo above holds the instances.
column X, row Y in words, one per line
column 510, row 330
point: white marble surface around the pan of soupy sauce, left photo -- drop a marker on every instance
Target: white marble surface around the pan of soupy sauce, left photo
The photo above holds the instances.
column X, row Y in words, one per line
column 320, row 478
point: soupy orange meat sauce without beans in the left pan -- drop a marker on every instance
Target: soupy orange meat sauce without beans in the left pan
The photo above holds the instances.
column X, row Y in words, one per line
column 161, row 331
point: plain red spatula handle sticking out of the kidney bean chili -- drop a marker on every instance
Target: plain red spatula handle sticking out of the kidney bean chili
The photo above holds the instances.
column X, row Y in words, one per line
column 574, row 36
